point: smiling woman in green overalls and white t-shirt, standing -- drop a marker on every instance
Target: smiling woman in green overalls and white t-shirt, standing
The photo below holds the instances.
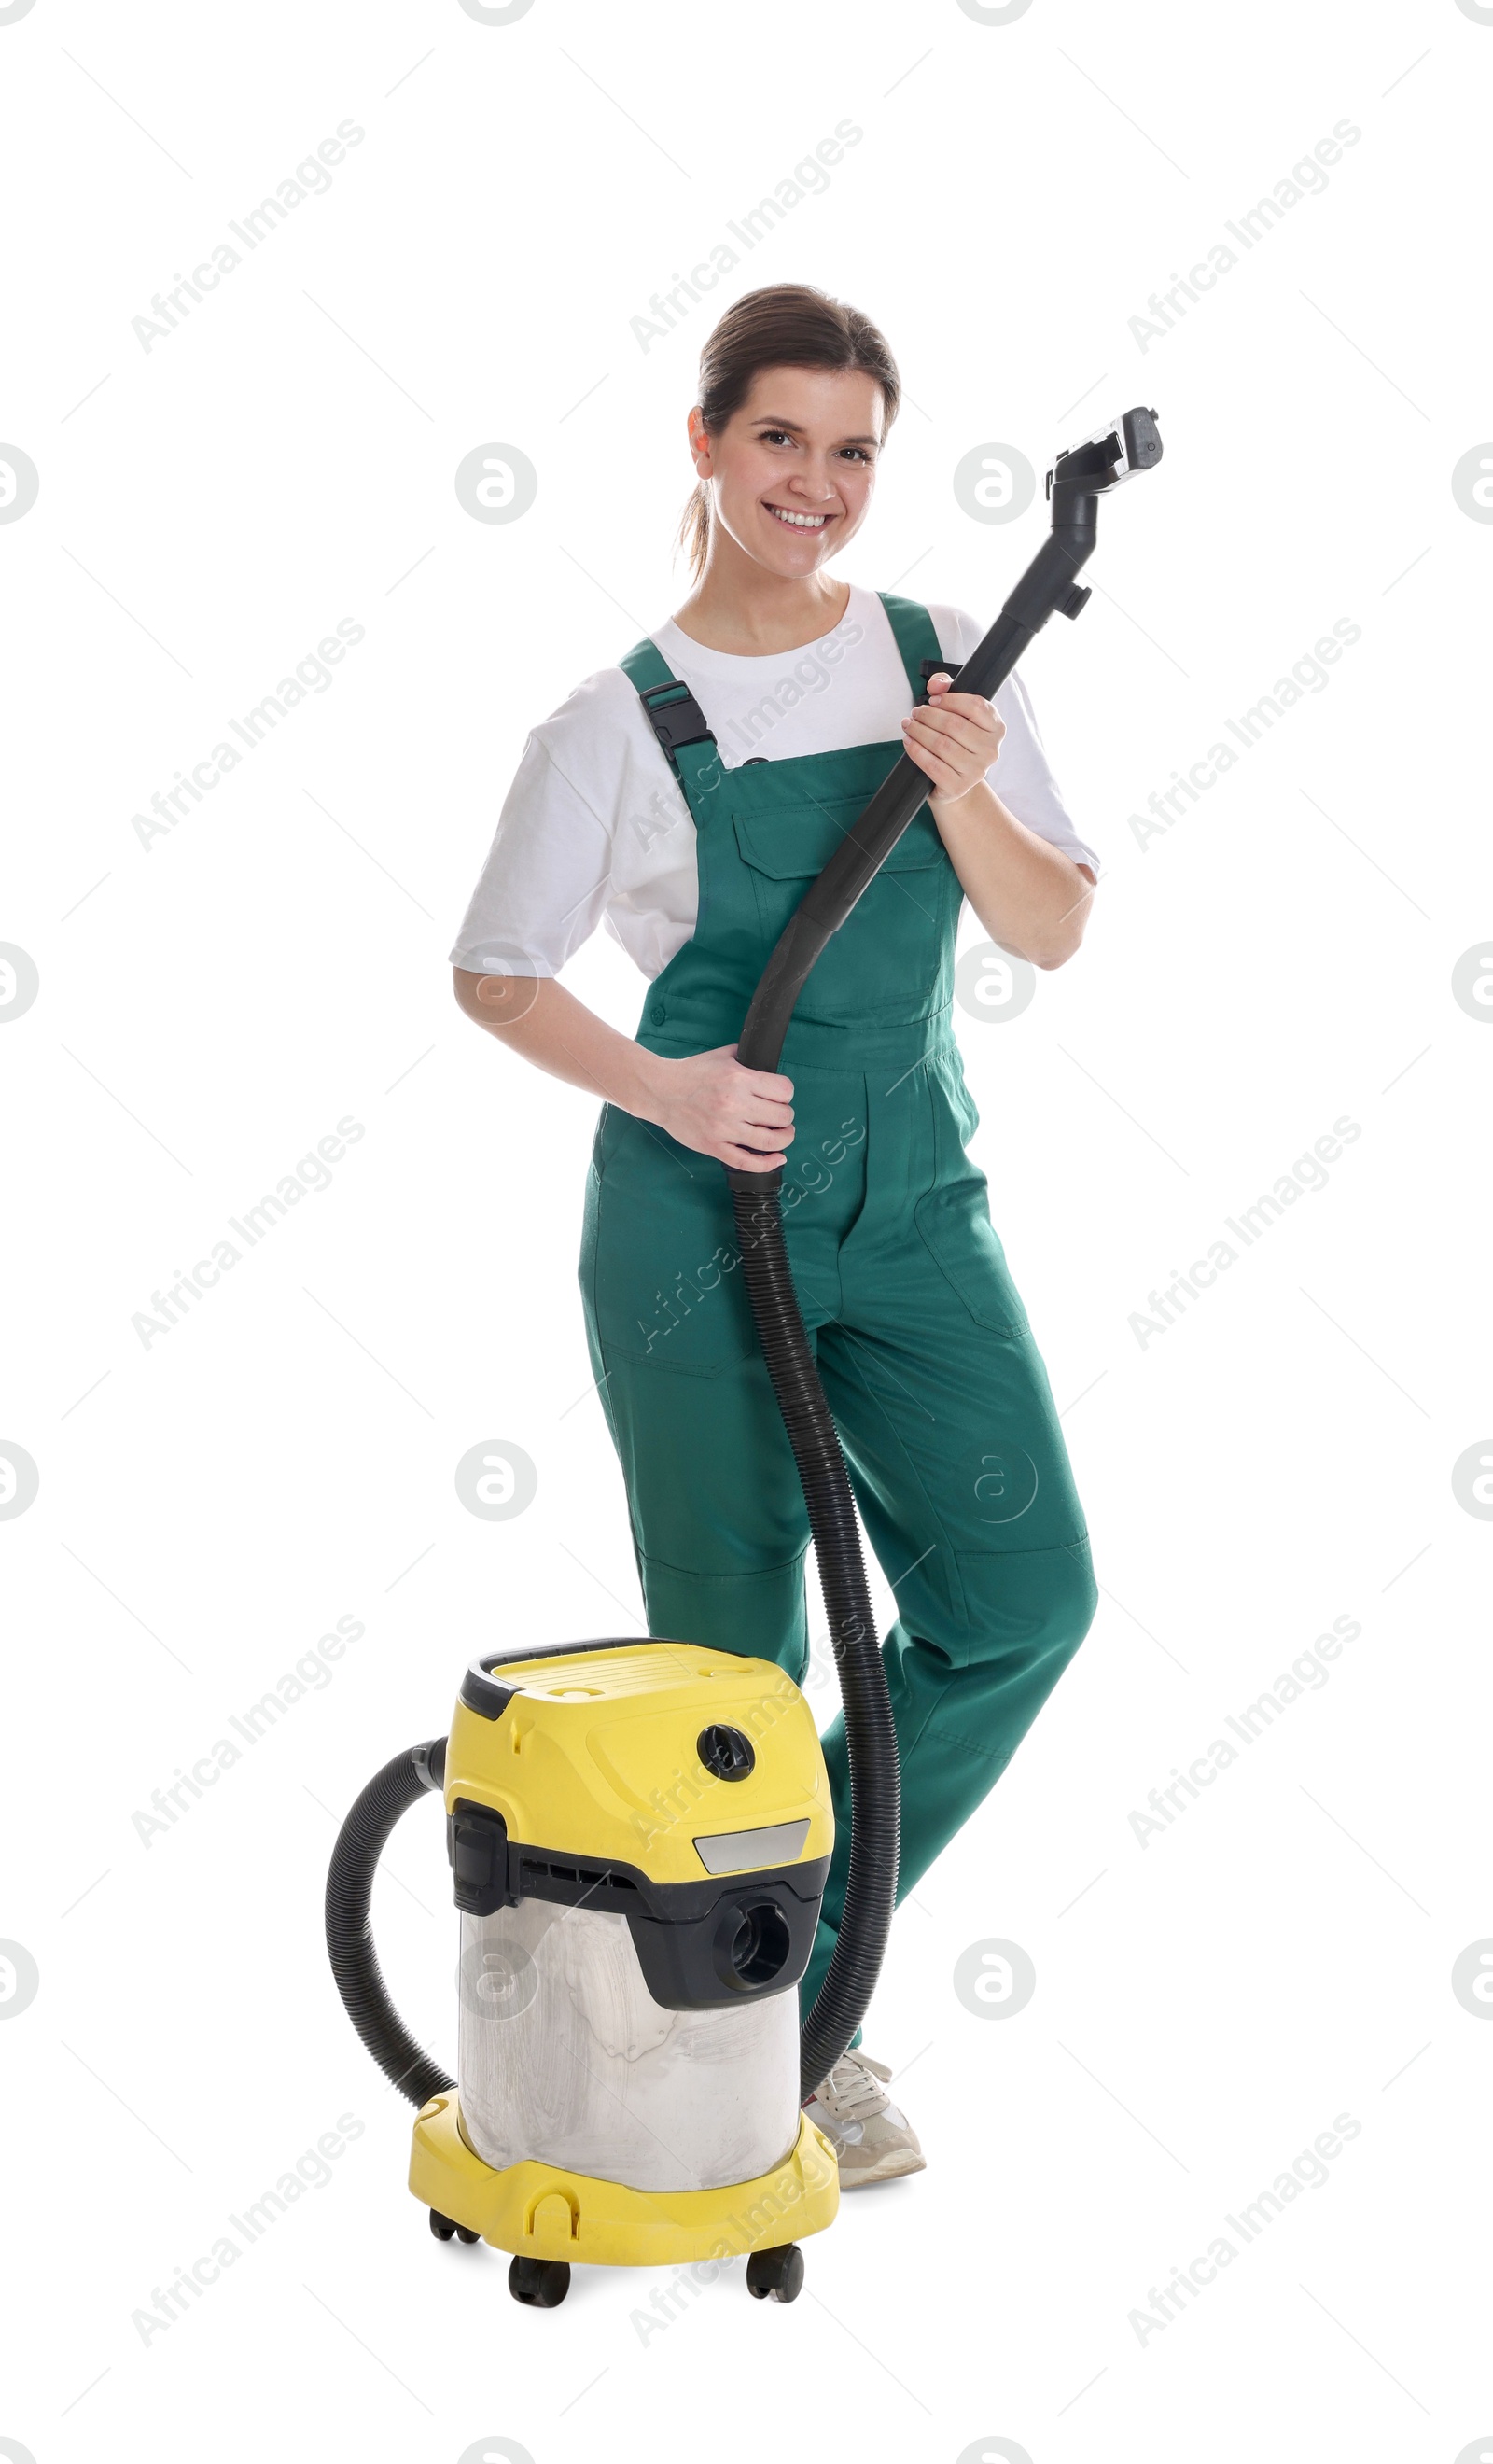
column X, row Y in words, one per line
column 691, row 829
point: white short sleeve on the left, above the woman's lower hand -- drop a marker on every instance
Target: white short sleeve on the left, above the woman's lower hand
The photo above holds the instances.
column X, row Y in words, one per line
column 546, row 883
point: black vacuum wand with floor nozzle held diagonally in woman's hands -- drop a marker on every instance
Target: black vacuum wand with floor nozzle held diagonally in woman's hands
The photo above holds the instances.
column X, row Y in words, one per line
column 1075, row 484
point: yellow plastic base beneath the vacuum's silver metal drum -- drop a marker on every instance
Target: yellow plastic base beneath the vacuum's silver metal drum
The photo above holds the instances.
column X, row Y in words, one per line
column 543, row 2214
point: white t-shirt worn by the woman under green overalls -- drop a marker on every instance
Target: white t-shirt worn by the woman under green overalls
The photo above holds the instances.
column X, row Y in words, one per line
column 595, row 827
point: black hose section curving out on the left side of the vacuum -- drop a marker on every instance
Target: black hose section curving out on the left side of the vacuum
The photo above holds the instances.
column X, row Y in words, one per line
column 356, row 1965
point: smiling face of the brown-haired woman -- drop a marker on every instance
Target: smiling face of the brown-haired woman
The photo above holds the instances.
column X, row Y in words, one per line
column 792, row 472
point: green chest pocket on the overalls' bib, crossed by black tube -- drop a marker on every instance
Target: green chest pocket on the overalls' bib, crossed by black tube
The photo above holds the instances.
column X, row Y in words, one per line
column 886, row 965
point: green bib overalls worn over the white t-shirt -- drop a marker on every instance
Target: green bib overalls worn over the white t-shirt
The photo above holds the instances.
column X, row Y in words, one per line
column 923, row 1344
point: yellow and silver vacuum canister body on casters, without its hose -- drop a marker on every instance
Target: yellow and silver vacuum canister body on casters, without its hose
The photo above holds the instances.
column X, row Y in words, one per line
column 639, row 1839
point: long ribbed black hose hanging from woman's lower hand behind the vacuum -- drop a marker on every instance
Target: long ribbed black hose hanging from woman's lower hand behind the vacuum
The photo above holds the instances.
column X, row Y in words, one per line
column 871, row 1738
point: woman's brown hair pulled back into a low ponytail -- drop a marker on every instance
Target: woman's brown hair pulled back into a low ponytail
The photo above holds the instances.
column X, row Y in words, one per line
column 780, row 326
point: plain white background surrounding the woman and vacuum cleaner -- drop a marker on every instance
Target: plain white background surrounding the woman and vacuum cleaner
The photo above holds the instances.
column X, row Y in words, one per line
column 1280, row 1457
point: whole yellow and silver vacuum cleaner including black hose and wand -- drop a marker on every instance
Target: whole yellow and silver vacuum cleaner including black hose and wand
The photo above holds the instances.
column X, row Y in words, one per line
column 639, row 1832
